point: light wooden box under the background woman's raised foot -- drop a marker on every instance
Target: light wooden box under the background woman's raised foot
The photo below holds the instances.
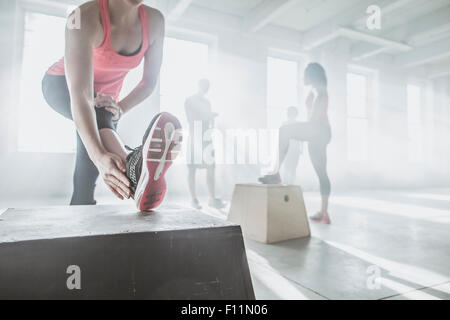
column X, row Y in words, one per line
column 269, row 213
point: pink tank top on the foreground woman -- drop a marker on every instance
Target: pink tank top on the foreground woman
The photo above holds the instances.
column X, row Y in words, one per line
column 110, row 67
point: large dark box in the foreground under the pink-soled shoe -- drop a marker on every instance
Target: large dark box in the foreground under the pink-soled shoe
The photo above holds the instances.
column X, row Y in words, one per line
column 113, row 252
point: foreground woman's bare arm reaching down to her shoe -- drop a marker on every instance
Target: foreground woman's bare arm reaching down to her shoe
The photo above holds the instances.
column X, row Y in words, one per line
column 80, row 80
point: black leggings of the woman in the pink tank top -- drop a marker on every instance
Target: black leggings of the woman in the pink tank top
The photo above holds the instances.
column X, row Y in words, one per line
column 56, row 93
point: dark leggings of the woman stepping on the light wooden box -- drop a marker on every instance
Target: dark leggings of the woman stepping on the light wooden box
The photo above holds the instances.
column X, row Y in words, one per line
column 318, row 137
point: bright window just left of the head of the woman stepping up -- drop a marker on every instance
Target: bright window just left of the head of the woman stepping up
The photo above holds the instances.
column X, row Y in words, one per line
column 282, row 89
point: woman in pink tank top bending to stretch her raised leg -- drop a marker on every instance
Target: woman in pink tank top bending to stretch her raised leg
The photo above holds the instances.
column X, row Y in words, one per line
column 114, row 37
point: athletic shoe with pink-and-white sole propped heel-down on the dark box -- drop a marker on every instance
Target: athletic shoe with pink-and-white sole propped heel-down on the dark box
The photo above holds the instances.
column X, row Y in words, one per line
column 147, row 164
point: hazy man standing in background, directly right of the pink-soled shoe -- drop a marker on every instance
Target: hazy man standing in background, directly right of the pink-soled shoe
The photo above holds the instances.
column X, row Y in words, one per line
column 199, row 115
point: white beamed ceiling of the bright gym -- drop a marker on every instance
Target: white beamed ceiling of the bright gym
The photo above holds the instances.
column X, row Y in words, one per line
column 414, row 32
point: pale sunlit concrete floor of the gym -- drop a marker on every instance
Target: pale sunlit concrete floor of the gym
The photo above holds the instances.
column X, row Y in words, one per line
column 381, row 245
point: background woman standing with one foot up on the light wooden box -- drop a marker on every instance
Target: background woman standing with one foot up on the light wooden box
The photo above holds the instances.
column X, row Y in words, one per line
column 316, row 131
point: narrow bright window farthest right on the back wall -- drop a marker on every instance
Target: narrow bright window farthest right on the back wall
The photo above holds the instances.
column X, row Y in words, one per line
column 415, row 123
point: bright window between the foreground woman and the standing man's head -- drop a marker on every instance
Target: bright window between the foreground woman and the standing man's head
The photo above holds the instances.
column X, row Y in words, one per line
column 185, row 63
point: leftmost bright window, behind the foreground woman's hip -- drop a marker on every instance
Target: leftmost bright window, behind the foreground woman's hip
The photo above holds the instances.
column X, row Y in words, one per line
column 40, row 128
